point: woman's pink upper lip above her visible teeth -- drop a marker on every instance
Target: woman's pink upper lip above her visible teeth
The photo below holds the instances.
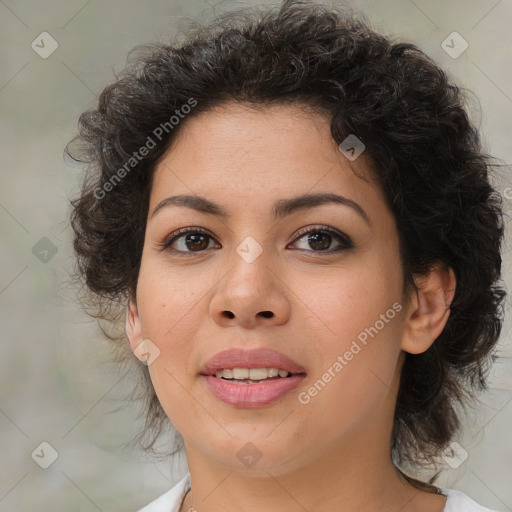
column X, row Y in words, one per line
column 250, row 358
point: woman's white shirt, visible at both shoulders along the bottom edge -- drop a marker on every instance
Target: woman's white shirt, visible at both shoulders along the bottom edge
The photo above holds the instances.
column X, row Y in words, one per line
column 170, row 501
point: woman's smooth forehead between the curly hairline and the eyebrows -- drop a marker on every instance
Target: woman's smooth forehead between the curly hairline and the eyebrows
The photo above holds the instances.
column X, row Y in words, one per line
column 240, row 153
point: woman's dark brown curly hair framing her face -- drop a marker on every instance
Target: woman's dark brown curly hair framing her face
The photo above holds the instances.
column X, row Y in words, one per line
column 425, row 152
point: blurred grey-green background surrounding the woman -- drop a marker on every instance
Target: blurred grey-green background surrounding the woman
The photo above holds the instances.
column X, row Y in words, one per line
column 61, row 400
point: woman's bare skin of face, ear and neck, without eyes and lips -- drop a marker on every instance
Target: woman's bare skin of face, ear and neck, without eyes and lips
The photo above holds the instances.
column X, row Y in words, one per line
column 336, row 449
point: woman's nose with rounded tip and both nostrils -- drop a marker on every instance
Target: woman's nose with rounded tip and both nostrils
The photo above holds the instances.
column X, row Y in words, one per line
column 250, row 294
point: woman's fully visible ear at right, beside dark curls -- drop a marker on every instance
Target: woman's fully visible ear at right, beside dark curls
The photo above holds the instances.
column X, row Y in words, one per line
column 428, row 309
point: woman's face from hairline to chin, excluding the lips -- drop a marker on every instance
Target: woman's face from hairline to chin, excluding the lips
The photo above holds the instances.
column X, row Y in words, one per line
column 321, row 284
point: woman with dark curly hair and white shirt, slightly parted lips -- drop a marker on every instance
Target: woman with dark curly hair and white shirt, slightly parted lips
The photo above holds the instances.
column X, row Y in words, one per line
column 291, row 211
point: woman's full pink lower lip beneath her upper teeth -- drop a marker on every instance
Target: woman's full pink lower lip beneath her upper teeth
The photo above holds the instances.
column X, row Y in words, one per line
column 252, row 395
